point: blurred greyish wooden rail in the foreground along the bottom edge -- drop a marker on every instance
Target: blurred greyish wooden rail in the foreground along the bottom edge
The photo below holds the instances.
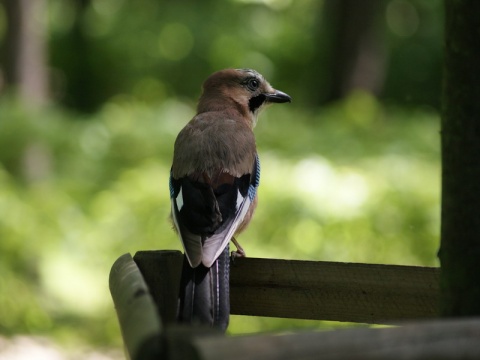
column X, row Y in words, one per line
column 446, row 339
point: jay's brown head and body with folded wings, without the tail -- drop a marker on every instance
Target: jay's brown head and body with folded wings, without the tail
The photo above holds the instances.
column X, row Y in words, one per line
column 215, row 163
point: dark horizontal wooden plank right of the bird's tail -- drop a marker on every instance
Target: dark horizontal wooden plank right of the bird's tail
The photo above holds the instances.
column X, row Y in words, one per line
column 367, row 293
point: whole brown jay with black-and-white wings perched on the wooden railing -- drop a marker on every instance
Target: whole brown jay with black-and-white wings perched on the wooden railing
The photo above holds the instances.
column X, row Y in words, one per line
column 213, row 184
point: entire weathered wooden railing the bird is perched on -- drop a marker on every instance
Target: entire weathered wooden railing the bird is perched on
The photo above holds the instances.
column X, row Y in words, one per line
column 144, row 289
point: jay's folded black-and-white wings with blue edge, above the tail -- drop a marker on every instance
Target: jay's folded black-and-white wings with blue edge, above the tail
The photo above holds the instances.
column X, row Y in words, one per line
column 207, row 215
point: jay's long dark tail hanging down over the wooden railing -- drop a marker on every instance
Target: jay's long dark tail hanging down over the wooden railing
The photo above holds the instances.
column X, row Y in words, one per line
column 204, row 293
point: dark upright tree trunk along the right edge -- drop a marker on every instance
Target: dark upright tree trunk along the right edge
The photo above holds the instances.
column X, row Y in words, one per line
column 460, row 244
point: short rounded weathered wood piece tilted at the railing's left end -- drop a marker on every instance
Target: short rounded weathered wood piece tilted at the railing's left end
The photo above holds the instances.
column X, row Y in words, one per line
column 137, row 314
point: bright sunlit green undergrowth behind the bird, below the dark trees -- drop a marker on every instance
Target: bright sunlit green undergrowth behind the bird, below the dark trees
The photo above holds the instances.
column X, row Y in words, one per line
column 356, row 181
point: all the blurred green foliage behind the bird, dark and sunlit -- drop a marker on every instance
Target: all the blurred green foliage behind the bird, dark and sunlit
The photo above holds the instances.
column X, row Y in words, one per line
column 356, row 180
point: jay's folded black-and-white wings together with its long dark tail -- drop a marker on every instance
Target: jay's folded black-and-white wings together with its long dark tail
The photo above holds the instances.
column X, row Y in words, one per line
column 206, row 219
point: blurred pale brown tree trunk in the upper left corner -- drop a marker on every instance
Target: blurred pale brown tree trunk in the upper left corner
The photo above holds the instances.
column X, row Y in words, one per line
column 25, row 67
